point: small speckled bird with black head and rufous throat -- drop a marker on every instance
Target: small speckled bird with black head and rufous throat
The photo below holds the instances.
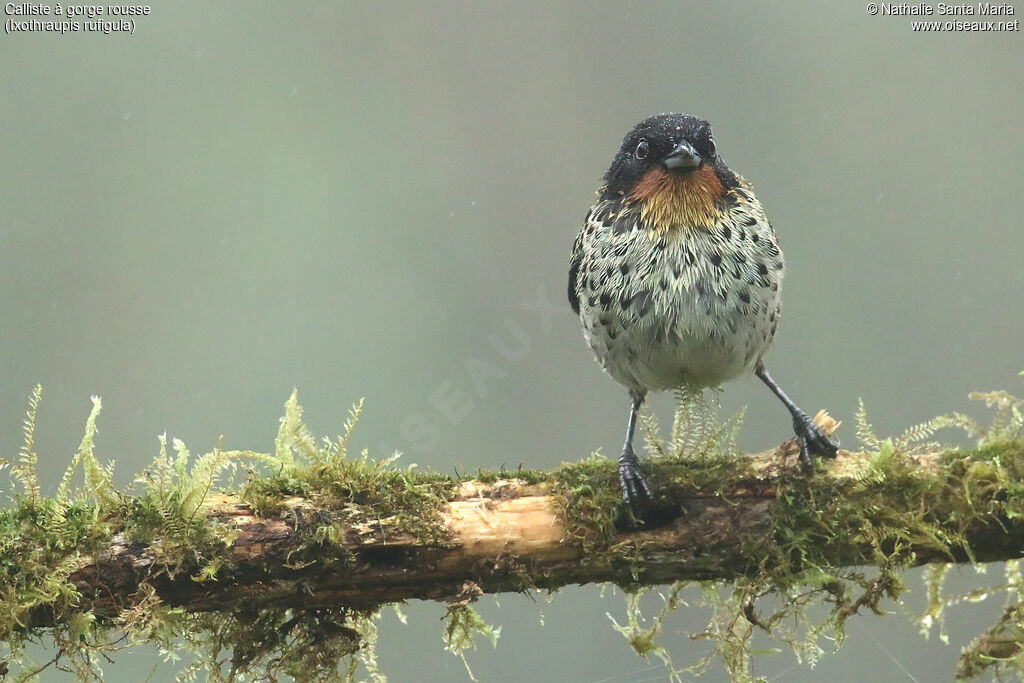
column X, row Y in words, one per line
column 676, row 278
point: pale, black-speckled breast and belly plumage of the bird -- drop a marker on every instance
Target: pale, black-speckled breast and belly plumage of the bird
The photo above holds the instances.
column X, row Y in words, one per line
column 692, row 305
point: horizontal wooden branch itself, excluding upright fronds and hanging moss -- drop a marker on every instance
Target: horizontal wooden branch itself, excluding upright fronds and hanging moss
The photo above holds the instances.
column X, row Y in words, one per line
column 714, row 520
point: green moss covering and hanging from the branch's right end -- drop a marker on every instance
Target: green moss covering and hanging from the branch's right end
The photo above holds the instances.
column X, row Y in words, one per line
column 890, row 516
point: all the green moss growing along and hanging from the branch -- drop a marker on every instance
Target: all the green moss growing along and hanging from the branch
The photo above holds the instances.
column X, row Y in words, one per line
column 888, row 516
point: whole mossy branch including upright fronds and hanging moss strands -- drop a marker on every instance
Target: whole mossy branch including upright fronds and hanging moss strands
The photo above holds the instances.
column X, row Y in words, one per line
column 290, row 572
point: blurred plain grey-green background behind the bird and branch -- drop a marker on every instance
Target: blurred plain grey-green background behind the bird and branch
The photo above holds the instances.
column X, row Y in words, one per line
column 358, row 199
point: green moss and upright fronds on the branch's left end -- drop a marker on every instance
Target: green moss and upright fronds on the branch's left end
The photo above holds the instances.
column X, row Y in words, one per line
column 45, row 540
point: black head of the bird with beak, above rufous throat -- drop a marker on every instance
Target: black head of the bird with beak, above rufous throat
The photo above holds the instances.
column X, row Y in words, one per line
column 678, row 143
